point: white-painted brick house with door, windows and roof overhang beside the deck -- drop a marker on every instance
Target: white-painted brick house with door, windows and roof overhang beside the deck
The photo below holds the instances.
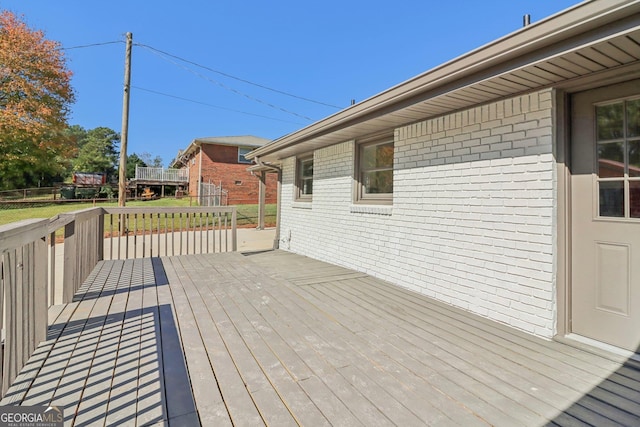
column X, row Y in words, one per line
column 477, row 183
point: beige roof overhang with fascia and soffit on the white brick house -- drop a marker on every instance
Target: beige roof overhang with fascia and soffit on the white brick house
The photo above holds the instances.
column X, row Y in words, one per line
column 594, row 39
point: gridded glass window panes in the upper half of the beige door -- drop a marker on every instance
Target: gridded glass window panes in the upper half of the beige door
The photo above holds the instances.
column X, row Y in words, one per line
column 618, row 157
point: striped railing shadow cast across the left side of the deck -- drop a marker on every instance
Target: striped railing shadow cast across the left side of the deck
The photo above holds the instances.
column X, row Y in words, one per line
column 123, row 367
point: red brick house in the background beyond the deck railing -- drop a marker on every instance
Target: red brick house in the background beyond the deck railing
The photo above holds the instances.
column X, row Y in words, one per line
column 220, row 162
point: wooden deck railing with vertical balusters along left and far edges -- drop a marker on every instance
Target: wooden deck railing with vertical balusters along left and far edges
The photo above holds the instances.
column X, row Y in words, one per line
column 32, row 280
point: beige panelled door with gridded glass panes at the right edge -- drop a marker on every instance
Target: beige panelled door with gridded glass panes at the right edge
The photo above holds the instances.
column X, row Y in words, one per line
column 605, row 214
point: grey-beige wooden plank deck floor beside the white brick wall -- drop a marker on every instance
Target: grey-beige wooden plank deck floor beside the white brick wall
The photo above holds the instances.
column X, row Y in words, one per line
column 279, row 339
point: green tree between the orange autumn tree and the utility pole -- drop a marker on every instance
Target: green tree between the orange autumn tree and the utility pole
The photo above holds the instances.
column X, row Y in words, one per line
column 98, row 152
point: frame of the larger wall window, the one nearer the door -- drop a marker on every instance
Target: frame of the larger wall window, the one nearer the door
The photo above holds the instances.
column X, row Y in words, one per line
column 359, row 196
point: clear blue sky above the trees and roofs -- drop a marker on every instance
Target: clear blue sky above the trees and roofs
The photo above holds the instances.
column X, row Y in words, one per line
column 329, row 51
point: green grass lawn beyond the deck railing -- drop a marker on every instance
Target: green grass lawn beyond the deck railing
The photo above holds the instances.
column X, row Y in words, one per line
column 247, row 214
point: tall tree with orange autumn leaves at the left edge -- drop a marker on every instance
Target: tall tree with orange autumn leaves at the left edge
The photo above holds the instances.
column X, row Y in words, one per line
column 35, row 98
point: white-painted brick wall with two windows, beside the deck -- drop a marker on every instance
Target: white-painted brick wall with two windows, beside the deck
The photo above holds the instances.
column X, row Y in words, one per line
column 472, row 217
